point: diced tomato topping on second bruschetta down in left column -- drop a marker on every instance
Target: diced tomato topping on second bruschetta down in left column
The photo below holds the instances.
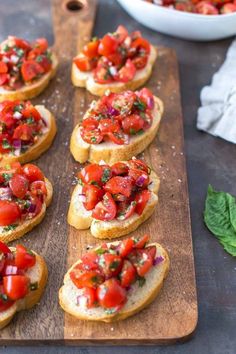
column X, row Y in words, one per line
column 21, row 125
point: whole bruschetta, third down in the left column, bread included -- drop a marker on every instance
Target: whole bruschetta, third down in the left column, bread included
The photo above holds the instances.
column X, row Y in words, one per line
column 25, row 193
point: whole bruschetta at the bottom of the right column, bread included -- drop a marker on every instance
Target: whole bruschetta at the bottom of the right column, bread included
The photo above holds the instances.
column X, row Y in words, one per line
column 114, row 281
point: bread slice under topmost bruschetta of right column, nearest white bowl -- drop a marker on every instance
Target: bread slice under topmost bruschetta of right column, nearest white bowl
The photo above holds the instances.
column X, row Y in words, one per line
column 85, row 79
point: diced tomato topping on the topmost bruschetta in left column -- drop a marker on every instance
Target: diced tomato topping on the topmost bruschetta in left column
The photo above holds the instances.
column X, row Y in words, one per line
column 22, row 62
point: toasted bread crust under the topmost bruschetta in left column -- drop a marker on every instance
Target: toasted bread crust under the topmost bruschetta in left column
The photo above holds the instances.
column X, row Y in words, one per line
column 33, row 89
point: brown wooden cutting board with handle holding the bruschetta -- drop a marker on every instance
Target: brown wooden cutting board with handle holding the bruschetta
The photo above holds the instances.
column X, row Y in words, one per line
column 173, row 315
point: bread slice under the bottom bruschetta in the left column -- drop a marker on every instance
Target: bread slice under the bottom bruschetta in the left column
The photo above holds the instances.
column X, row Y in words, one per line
column 39, row 274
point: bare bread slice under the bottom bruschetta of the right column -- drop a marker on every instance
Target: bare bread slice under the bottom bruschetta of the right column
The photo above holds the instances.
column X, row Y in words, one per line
column 139, row 298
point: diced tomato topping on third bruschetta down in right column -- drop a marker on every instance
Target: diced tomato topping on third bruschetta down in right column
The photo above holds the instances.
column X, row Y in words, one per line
column 117, row 191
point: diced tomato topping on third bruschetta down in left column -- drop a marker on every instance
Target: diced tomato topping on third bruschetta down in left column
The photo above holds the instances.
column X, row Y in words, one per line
column 22, row 193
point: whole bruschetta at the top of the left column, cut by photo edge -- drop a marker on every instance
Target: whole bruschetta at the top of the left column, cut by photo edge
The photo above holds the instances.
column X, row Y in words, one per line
column 25, row 68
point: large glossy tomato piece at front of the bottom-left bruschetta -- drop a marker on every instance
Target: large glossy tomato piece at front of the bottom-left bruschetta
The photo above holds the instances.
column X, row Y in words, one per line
column 16, row 286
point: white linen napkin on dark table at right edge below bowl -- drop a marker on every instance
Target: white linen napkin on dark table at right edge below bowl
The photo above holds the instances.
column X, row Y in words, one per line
column 217, row 114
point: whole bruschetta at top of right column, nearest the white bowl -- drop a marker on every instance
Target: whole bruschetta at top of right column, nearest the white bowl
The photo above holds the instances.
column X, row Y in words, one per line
column 119, row 61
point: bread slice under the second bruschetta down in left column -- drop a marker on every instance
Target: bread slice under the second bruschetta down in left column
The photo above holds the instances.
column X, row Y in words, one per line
column 42, row 144
